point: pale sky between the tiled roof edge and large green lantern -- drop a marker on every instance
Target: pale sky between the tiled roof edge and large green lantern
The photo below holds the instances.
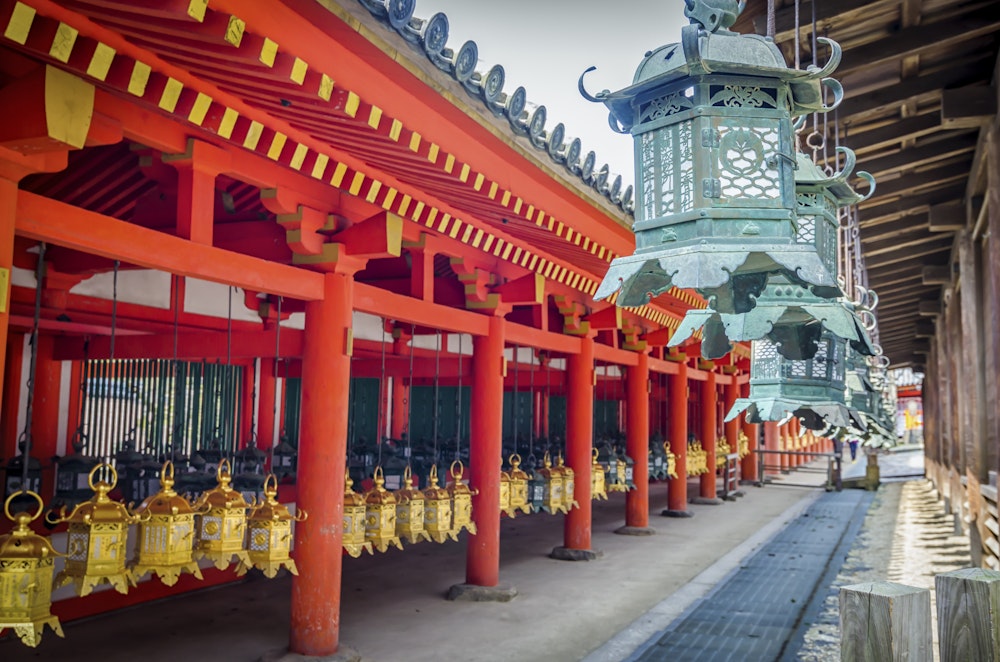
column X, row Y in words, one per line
column 545, row 45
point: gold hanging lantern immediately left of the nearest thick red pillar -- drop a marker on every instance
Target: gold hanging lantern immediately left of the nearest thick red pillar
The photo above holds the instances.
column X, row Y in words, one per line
column 269, row 534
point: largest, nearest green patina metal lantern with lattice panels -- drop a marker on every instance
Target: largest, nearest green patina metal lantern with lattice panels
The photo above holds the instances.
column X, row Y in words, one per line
column 711, row 118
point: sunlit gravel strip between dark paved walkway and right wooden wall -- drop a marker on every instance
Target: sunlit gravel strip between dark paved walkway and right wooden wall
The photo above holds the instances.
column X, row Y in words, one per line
column 906, row 538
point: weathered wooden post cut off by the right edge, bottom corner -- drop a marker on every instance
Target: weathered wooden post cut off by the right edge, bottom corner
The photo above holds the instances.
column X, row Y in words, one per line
column 968, row 607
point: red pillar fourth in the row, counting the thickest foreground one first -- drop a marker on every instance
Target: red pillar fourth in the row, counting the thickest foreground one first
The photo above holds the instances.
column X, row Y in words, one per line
column 637, row 447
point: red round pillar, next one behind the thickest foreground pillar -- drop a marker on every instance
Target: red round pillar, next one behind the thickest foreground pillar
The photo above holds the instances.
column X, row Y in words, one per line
column 482, row 561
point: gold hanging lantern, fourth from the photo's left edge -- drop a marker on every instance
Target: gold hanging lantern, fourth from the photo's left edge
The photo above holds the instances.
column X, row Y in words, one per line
column 221, row 521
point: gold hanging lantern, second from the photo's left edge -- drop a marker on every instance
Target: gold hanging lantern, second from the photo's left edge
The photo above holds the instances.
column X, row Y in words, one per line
column 97, row 531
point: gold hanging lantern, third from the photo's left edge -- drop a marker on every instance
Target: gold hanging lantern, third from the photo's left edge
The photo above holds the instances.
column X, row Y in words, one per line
column 165, row 540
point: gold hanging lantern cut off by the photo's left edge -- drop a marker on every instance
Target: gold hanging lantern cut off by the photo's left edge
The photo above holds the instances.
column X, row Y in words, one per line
column 26, row 566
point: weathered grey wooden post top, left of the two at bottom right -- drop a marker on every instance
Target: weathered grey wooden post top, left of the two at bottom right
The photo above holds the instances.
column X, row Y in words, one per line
column 881, row 621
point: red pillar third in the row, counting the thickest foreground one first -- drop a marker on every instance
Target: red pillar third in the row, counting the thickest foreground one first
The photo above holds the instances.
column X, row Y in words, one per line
column 579, row 441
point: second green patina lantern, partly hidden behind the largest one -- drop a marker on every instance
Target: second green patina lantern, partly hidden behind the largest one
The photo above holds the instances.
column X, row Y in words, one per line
column 788, row 312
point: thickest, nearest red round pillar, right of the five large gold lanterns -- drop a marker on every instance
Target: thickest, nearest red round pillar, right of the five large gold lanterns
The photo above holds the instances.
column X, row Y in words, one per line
column 315, row 617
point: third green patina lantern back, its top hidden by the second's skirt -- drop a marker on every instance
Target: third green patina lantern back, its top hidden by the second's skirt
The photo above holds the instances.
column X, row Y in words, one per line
column 812, row 390
